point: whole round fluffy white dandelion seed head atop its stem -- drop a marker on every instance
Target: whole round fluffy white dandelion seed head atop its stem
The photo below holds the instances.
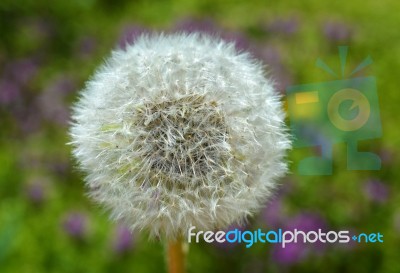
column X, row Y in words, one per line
column 177, row 131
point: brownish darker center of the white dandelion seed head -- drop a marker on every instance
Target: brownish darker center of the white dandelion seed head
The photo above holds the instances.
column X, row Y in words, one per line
column 183, row 138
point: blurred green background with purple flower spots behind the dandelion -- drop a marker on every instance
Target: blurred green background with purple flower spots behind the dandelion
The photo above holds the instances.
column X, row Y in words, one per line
column 48, row 49
